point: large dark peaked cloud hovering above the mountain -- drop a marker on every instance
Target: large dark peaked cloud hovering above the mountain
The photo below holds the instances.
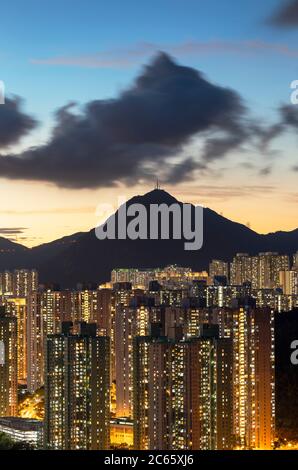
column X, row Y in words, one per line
column 134, row 136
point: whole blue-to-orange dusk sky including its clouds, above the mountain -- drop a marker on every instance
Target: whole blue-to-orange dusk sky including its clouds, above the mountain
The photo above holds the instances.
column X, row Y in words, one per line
column 211, row 116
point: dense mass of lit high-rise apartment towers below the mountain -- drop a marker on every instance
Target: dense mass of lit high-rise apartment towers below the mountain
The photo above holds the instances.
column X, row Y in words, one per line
column 160, row 359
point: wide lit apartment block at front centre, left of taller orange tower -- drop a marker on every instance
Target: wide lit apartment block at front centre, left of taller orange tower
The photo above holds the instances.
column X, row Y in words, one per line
column 183, row 392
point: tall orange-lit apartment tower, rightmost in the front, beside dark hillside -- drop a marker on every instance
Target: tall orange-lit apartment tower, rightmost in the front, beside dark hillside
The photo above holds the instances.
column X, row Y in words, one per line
column 252, row 332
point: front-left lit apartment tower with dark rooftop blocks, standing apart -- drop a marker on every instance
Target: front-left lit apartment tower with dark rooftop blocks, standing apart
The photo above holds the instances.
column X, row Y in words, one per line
column 77, row 384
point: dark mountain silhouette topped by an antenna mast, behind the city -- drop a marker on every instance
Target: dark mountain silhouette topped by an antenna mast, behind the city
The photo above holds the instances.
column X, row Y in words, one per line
column 83, row 258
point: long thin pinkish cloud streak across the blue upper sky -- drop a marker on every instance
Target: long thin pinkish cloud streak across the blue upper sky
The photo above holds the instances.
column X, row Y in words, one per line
column 127, row 57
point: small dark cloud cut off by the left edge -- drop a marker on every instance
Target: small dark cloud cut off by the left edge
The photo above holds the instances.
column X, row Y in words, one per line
column 14, row 124
